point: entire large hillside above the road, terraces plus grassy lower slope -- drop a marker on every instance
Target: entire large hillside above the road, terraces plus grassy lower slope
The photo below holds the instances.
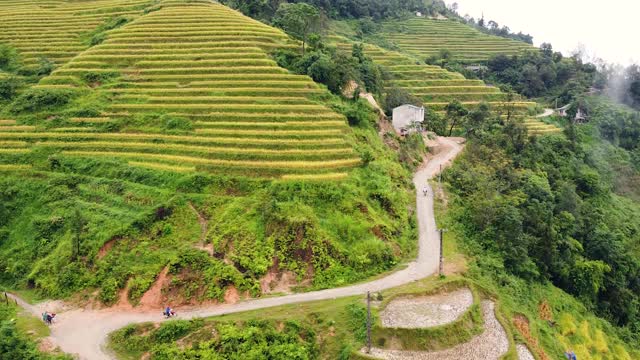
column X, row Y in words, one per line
column 138, row 220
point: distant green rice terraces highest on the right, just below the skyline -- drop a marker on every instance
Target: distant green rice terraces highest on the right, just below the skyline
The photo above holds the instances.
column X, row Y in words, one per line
column 425, row 38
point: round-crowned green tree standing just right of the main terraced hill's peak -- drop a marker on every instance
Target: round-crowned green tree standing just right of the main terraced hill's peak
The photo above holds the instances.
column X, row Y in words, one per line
column 298, row 20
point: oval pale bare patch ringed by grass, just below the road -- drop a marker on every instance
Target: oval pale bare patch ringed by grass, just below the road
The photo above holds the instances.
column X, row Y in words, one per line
column 426, row 311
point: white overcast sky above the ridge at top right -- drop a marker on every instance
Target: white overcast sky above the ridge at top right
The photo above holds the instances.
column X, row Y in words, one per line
column 608, row 29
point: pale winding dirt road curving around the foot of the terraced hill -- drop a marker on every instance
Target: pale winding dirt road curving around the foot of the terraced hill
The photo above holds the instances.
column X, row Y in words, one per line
column 84, row 332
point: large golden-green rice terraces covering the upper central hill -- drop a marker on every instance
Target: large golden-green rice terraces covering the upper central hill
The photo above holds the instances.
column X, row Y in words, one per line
column 206, row 63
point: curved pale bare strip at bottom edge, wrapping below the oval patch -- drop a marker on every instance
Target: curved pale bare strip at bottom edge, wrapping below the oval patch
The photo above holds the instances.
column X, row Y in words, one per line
column 490, row 345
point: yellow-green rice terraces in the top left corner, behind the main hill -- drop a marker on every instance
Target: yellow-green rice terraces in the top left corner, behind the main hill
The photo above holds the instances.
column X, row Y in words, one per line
column 54, row 29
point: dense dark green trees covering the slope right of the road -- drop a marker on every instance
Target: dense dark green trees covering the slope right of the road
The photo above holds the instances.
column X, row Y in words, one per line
column 543, row 209
